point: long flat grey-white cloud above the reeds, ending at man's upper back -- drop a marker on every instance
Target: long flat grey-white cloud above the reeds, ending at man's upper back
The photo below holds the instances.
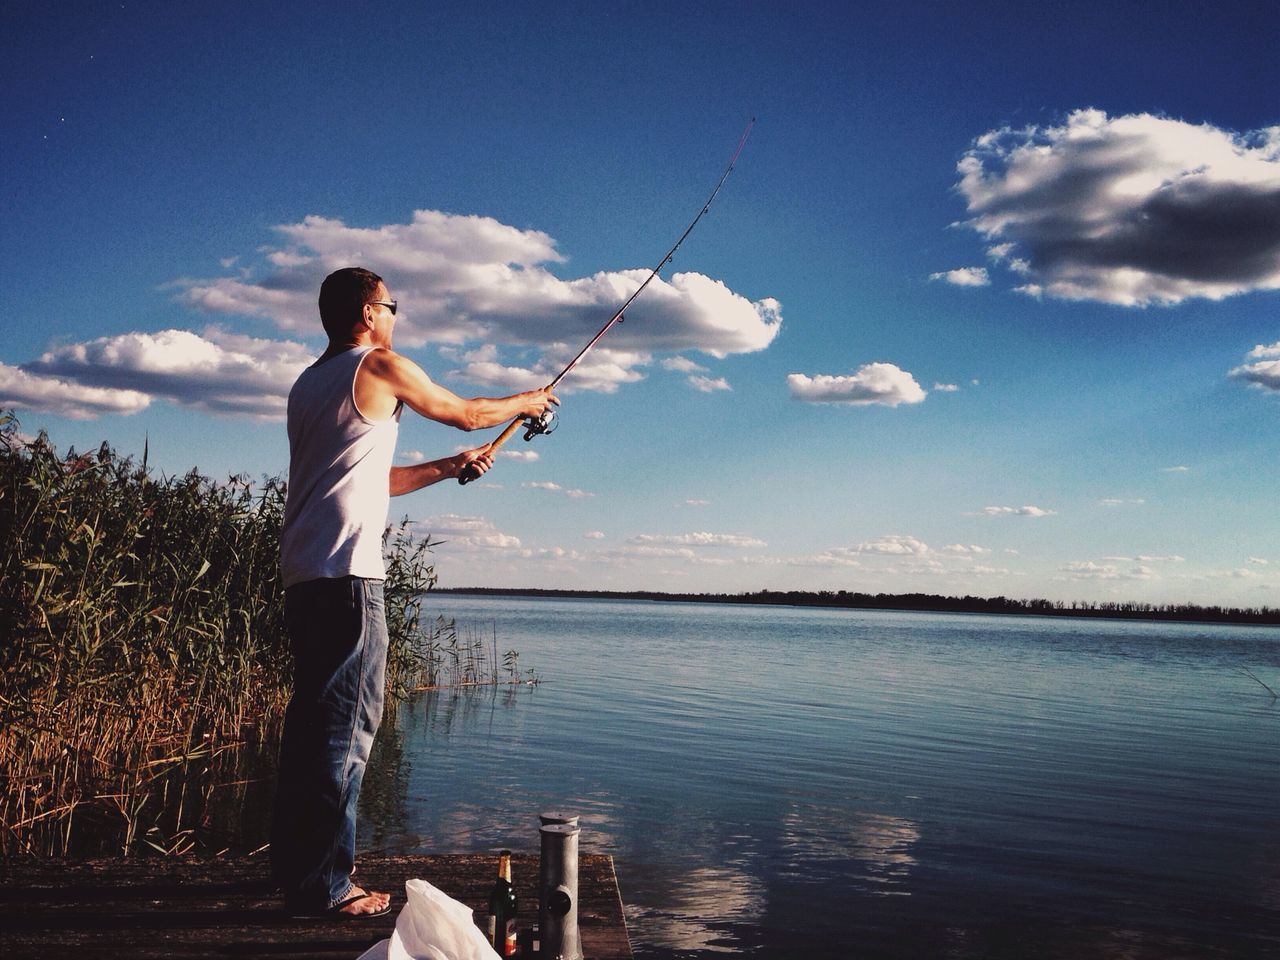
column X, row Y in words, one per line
column 218, row 372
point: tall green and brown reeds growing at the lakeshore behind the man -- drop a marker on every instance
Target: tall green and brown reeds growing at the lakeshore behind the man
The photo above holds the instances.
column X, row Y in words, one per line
column 143, row 644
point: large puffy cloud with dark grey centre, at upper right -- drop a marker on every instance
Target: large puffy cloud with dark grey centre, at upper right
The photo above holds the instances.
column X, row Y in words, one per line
column 1130, row 211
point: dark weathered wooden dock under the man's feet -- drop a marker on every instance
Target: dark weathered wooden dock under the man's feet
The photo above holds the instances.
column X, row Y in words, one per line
column 217, row 908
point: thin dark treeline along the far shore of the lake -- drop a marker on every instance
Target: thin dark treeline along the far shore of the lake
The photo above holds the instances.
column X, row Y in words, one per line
column 922, row 602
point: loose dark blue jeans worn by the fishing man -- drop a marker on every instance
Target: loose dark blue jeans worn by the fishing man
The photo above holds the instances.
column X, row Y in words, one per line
column 339, row 634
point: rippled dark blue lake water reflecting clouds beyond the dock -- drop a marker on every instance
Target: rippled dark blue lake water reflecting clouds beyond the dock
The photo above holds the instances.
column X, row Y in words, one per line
column 785, row 783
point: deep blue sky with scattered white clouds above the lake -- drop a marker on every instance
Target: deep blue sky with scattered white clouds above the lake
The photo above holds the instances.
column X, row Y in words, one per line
column 989, row 307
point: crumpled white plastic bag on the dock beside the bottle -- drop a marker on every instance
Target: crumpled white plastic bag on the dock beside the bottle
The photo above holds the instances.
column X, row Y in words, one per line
column 432, row 926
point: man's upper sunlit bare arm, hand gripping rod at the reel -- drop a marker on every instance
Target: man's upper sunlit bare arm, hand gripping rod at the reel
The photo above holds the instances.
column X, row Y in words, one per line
column 396, row 378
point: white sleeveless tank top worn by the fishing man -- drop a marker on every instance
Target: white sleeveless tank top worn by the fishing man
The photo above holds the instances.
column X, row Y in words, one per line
column 340, row 477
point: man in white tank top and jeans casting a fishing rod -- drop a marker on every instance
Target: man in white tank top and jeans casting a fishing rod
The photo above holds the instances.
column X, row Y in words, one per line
column 344, row 415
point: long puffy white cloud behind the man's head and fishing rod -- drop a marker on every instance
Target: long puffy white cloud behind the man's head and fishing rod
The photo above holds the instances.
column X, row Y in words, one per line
column 473, row 280
